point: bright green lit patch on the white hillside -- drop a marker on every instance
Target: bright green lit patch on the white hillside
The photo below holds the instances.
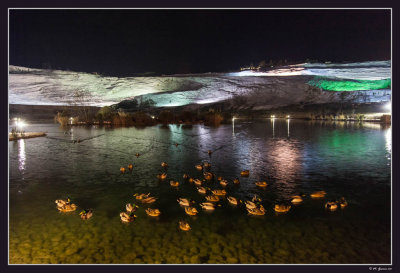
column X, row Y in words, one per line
column 353, row 85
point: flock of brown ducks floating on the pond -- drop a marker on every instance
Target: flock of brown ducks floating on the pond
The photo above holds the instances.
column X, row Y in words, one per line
column 212, row 197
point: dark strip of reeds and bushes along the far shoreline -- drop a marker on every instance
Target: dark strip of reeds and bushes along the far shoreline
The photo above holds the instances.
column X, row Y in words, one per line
column 212, row 115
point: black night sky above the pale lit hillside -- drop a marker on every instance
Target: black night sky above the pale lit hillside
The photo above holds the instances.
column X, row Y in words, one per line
column 124, row 42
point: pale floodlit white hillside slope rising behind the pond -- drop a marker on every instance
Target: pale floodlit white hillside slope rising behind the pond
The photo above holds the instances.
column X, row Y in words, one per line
column 260, row 90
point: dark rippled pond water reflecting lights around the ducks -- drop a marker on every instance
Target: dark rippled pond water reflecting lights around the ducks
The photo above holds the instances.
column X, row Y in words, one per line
column 294, row 157
